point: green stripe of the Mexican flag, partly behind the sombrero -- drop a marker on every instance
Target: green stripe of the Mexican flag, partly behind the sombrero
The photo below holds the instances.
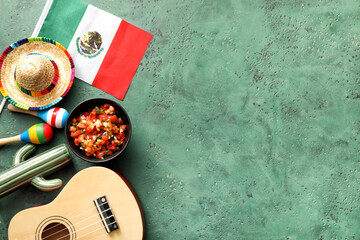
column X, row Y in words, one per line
column 64, row 16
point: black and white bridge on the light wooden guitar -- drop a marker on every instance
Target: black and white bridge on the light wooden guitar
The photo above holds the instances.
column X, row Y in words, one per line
column 106, row 214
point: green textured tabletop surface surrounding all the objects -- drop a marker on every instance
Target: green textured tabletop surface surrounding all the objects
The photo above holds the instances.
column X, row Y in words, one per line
column 245, row 118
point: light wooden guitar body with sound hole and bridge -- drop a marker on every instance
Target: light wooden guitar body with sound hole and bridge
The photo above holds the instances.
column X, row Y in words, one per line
column 95, row 204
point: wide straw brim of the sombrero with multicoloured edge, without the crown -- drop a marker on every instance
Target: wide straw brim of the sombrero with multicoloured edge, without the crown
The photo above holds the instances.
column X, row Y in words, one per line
column 48, row 47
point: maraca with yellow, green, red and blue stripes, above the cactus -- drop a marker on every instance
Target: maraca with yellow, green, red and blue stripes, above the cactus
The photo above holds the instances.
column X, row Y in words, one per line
column 37, row 134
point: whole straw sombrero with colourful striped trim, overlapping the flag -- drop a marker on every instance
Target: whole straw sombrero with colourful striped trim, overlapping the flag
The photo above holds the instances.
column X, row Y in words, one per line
column 36, row 73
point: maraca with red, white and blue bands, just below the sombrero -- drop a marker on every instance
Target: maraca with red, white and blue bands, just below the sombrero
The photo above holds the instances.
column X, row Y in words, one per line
column 55, row 117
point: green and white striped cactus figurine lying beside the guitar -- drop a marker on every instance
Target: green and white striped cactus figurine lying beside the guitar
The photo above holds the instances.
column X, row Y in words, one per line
column 34, row 169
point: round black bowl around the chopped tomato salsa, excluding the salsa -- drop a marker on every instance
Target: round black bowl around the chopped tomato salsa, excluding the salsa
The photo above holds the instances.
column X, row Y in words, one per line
column 84, row 107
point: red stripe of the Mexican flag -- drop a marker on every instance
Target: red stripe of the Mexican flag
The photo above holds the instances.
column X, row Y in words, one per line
column 122, row 59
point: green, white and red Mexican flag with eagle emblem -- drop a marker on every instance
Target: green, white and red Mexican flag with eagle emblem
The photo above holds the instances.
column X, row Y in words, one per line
column 106, row 50
